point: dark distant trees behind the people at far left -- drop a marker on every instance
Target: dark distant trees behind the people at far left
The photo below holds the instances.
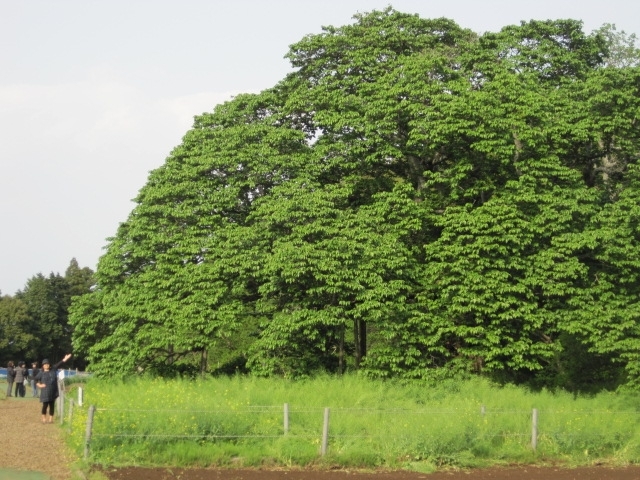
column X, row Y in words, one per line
column 34, row 322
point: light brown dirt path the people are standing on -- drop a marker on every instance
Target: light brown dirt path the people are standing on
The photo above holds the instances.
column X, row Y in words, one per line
column 27, row 444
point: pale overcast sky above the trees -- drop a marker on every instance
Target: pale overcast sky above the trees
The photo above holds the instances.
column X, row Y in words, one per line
column 95, row 94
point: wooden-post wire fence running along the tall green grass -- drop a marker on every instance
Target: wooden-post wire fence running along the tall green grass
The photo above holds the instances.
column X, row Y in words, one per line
column 424, row 430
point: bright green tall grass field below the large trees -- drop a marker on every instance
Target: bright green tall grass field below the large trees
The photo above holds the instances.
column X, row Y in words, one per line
column 346, row 422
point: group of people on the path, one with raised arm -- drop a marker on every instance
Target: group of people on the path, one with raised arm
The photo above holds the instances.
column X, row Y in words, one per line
column 44, row 383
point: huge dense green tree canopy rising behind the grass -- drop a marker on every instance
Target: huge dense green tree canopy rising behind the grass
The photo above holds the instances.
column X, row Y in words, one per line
column 413, row 200
